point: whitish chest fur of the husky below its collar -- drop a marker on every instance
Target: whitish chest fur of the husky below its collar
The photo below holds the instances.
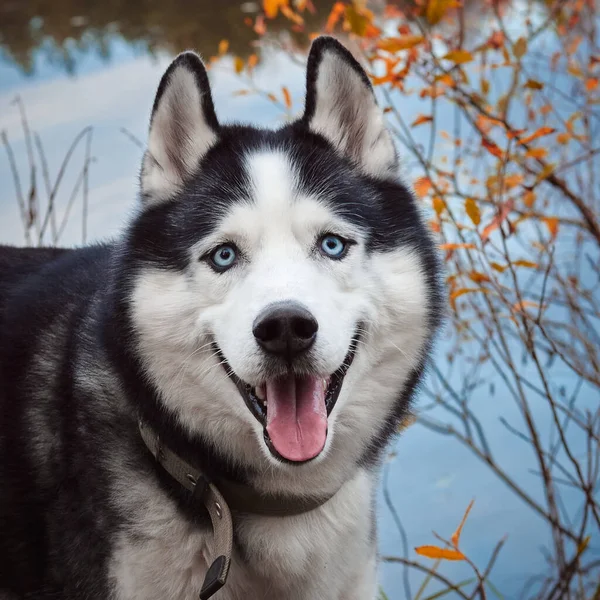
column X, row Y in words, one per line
column 327, row 553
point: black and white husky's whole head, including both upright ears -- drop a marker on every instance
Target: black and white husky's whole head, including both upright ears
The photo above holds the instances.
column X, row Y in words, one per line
column 283, row 288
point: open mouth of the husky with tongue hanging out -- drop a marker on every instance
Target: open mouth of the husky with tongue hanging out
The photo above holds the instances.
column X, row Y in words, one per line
column 293, row 408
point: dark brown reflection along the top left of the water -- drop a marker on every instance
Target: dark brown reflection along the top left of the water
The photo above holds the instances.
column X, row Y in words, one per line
column 64, row 29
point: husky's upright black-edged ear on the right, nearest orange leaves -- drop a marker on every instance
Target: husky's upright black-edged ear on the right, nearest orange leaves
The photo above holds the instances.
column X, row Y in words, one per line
column 341, row 106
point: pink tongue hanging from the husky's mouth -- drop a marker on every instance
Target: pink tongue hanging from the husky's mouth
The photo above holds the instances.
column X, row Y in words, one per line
column 297, row 416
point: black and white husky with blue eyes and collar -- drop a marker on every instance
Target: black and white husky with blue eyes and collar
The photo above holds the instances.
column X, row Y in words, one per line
column 261, row 325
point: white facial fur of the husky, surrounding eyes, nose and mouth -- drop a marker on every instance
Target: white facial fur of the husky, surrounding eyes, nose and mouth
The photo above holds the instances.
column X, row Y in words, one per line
column 177, row 313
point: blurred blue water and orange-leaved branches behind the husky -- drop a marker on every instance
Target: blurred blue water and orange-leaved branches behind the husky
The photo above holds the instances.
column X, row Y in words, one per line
column 494, row 108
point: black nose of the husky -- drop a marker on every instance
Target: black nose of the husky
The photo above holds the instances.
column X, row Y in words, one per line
column 285, row 328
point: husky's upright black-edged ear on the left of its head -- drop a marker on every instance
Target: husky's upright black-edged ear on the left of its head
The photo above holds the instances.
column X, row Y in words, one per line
column 182, row 129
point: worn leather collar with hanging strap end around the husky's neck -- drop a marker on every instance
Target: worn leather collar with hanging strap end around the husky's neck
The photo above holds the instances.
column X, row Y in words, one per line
column 221, row 498
